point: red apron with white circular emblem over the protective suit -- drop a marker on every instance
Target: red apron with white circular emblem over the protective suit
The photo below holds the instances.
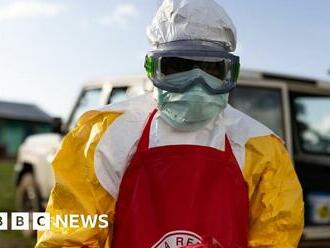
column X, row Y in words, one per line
column 179, row 196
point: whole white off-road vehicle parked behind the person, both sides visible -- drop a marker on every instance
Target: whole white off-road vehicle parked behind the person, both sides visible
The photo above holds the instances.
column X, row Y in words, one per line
column 296, row 109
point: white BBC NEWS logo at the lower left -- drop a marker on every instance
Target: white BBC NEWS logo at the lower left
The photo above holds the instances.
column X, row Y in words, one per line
column 42, row 221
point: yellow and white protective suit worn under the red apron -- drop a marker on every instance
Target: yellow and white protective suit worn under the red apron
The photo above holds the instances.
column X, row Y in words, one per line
column 91, row 161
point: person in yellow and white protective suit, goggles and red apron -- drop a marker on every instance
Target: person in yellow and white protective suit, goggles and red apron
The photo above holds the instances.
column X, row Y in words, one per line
column 184, row 168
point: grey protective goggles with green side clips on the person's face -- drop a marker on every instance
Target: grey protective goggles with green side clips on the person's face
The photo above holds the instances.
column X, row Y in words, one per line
column 221, row 65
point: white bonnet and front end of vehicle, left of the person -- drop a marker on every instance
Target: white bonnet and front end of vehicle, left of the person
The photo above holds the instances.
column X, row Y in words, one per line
column 34, row 177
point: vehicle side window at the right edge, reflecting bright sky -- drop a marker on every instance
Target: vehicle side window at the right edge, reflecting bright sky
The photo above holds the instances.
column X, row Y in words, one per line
column 313, row 123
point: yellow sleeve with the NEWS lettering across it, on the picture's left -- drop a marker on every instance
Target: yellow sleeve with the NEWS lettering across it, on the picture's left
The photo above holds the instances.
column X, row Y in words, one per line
column 77, row 190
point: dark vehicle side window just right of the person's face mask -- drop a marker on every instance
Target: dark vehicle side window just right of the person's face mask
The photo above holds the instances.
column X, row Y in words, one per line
column 262, row 104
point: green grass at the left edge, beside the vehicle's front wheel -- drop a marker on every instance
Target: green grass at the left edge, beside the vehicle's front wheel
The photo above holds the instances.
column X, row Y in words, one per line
column 10, row 239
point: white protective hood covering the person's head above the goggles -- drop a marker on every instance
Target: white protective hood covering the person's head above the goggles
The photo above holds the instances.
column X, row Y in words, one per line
column 192, row 20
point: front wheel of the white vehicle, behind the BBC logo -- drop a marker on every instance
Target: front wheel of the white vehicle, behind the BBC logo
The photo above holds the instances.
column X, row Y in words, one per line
column 28, row 199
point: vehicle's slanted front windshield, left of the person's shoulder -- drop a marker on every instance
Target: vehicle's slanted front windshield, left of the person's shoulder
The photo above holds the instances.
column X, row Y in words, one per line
column 88, row 100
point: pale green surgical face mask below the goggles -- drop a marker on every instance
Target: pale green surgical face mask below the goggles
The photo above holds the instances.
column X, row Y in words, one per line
column 191, row 110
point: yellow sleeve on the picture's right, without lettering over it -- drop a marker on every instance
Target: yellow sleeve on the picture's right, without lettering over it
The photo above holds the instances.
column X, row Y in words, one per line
column 276, row 201
